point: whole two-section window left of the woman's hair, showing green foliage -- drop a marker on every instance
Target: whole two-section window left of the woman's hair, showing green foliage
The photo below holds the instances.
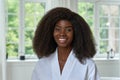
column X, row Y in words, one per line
column 21, row 20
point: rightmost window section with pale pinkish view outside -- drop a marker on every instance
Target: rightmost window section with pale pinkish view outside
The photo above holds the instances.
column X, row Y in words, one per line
column 109, row 27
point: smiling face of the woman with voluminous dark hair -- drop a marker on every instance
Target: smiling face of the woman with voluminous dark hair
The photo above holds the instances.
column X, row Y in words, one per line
column 63, row 33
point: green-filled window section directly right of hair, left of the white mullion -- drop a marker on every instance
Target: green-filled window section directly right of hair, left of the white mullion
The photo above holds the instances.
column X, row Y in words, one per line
column 86, row 10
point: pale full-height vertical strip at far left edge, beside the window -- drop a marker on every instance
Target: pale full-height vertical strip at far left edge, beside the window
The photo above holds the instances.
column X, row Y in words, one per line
column 2, row 42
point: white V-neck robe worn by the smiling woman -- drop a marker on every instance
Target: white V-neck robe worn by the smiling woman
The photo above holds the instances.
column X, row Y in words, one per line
column 47, row 68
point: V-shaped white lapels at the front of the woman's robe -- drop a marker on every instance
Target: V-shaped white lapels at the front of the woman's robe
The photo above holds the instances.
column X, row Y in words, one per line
column 68, row 67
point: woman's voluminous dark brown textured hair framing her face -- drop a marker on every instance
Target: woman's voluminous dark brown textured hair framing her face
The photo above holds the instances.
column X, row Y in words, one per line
column 83, row 41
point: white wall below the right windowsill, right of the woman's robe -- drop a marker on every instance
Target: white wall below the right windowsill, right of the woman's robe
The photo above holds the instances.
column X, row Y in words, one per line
column 108, row 68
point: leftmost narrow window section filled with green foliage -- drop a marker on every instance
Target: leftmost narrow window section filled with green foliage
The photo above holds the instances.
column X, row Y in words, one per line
column 12, row 28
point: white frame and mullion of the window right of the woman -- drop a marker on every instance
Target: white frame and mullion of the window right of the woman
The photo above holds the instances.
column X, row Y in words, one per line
column 96, row 23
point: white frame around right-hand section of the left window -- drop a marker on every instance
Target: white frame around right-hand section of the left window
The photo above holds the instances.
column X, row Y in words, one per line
column 22, row 27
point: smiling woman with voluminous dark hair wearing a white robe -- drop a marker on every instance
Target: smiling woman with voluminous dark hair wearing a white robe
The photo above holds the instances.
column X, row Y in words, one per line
column 65, row 45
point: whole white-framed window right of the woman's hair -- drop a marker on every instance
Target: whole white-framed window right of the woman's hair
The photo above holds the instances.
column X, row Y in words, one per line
column 104, row 21
